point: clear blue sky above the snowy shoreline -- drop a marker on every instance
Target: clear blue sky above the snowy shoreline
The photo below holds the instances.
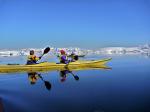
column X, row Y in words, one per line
column 81, row 23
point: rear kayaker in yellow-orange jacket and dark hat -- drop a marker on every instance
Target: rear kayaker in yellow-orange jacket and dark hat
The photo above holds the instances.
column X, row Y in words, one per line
column 32, row 59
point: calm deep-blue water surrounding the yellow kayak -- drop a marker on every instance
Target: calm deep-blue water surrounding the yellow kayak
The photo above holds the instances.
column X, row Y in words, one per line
column 126, row 87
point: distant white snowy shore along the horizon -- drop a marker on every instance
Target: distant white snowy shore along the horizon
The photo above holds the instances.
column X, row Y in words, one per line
column 143, row 49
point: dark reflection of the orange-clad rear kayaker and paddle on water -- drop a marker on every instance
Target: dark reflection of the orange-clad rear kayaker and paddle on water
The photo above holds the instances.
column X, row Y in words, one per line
column 33, row 77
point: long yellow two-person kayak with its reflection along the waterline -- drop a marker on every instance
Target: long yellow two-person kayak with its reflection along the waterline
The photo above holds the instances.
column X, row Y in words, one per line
column 50, row 66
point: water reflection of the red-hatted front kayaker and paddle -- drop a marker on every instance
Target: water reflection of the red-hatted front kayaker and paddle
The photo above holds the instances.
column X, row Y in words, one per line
column 65, row 73
